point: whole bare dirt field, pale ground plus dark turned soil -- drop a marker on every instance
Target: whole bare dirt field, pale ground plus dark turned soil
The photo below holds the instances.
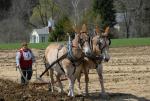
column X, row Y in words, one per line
column 126, row 75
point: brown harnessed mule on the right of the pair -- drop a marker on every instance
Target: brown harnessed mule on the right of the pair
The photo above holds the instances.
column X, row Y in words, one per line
column 99, row 51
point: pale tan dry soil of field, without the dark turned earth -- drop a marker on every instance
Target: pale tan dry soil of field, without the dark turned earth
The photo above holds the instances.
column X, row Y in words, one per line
column 126, row 75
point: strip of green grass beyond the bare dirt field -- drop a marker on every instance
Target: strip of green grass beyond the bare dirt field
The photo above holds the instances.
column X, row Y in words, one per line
column 114, row 43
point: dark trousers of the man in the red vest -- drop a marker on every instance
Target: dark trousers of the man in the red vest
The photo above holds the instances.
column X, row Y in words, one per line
column 27, row 74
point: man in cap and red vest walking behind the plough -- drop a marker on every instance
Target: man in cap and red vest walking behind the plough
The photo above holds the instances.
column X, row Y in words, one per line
column 24, row 60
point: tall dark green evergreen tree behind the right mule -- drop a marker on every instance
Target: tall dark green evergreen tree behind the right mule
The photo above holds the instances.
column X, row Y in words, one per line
column 104, row 9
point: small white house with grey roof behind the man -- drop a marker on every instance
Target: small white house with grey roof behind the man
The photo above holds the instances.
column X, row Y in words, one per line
column 39, row 35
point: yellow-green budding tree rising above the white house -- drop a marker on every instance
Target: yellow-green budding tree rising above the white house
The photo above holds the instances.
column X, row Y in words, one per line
column 43, row 11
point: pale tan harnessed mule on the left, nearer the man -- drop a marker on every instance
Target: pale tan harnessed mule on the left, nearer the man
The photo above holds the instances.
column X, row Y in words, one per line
column 72, row 64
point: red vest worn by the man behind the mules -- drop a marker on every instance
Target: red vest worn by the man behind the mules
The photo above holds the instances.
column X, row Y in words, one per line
column 25, row 63
